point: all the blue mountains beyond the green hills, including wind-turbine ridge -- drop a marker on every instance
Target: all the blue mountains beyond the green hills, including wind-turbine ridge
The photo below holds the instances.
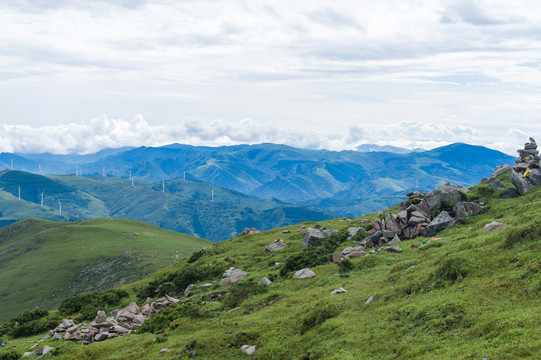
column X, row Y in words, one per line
column 264, row 183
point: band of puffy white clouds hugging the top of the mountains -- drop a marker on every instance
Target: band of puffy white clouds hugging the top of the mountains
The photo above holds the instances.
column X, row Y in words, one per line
column 102, row 132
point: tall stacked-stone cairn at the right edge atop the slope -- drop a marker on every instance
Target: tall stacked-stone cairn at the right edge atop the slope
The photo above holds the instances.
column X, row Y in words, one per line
column 526, row 173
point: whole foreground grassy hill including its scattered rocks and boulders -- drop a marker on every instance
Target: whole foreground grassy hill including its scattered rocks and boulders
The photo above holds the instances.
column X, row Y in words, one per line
column 452, row 274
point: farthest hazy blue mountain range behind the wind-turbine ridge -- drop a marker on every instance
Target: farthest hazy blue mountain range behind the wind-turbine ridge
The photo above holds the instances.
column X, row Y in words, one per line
column 337, row 183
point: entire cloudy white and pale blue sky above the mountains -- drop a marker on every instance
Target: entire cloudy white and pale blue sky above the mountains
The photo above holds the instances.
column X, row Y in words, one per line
column 80, row 76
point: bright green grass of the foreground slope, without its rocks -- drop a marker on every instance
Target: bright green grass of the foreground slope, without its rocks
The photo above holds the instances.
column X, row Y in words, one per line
column 466, row 294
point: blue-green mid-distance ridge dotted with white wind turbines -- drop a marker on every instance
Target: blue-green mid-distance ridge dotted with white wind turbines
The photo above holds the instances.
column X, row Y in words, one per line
column 185, row 205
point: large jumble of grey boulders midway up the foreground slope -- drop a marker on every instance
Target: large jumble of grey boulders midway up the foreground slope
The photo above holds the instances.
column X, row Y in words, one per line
column 419, row 215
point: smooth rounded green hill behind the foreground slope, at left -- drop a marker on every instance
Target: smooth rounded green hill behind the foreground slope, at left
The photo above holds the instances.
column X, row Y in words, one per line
column 42, row 262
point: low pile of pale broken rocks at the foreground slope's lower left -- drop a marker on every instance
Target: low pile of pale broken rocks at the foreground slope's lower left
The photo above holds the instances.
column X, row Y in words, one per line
column 122, row 323
